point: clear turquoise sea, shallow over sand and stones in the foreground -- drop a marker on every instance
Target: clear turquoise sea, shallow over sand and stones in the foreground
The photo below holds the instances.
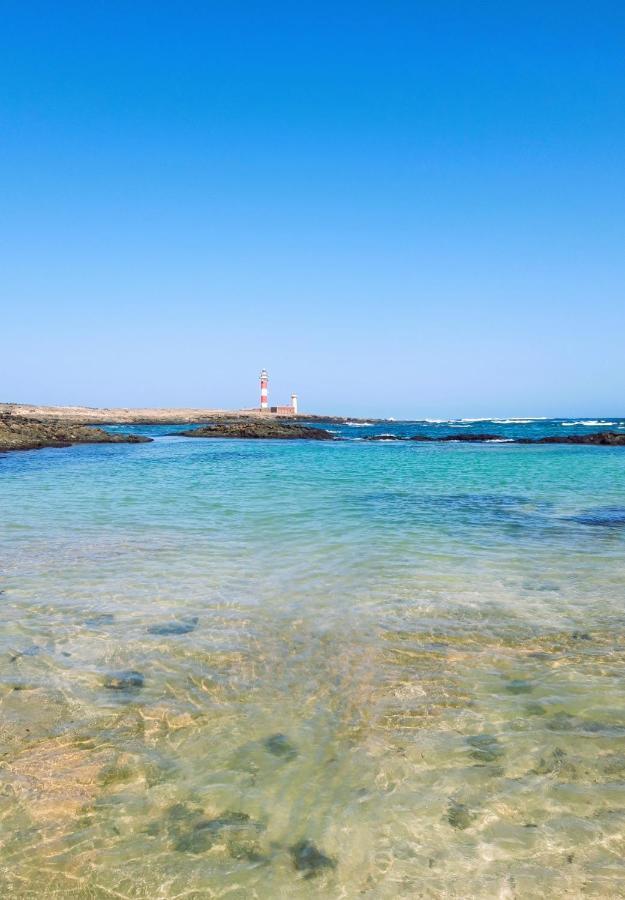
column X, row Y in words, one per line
column 398, row 668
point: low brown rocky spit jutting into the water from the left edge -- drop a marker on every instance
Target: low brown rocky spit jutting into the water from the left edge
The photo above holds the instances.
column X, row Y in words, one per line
column 17, row 433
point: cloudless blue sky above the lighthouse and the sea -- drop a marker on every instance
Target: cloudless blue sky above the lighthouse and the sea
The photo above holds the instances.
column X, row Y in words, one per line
column 399, row 208
